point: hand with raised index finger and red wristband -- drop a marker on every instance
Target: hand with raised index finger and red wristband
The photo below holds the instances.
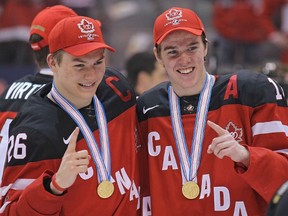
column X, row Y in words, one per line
column 73, row 163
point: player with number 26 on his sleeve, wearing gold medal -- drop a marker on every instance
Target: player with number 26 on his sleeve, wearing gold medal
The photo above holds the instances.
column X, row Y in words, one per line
column 68, row 153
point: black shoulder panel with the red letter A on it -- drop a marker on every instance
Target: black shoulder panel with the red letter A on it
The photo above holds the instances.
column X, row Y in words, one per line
column 253, row 89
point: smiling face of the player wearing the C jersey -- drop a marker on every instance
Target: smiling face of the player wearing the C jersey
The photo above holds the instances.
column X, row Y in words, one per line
column 77, row 78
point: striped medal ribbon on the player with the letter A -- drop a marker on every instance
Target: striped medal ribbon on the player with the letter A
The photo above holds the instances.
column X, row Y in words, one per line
column 190, row 163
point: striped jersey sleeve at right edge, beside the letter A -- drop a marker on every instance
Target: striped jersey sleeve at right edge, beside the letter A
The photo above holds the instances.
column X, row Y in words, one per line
column 269, row 146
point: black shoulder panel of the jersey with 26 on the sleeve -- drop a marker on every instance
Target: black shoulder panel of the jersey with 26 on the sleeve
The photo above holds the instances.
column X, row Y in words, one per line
column 40, row 125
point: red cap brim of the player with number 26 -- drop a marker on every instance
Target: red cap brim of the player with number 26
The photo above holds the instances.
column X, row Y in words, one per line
column 85, row 48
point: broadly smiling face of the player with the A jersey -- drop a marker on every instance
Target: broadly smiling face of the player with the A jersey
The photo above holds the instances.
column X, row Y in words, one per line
column 182, row 54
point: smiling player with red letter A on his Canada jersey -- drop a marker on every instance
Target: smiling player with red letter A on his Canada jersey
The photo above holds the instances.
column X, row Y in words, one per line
column 211, row 145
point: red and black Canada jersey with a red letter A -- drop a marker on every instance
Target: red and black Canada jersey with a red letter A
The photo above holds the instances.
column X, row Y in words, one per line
column 253, row 109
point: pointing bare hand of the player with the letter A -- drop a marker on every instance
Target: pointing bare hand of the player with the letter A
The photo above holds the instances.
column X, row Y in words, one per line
column 226, row 145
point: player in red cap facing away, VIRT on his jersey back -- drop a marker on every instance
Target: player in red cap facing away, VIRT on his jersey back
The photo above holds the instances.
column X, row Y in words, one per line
column 13, row 98
